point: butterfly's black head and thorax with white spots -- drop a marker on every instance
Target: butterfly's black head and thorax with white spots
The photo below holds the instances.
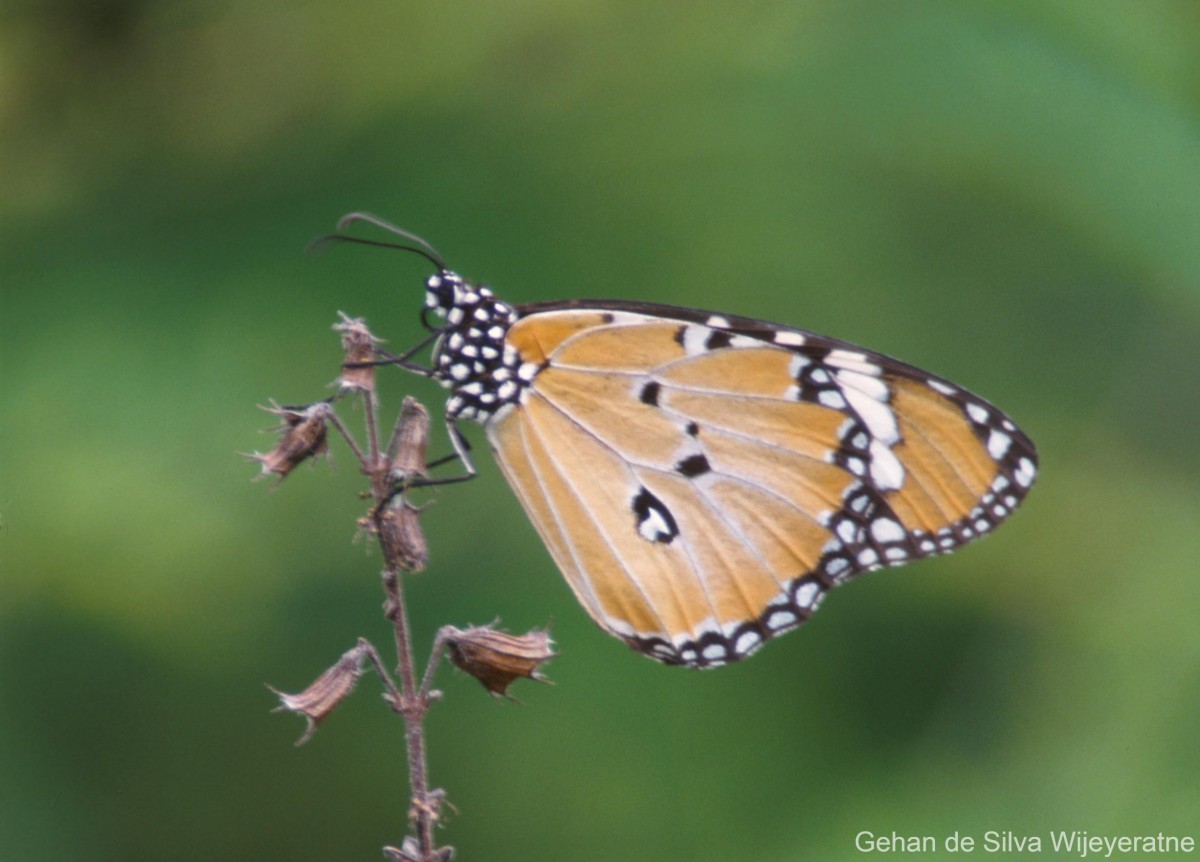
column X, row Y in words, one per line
column 471, row 358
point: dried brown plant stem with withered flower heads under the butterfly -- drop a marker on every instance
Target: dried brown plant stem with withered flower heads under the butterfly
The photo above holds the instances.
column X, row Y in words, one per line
column 494, row 657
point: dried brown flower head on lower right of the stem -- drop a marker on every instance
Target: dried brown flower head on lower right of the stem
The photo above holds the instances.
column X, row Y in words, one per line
column 497, row 659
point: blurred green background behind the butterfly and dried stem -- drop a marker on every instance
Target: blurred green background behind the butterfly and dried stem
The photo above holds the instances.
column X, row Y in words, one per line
column 1007, row 194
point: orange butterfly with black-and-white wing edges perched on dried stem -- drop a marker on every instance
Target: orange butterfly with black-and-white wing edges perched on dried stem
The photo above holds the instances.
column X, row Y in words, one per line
column 701, row 480
